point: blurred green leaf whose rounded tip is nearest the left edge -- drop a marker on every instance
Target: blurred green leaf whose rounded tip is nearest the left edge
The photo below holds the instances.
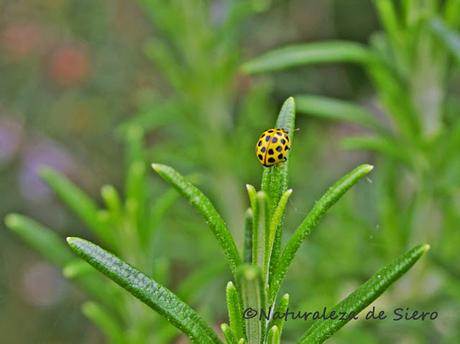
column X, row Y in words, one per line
column 40, row 238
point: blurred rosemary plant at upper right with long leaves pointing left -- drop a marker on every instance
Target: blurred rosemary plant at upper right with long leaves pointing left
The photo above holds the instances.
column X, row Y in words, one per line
column 410, row 65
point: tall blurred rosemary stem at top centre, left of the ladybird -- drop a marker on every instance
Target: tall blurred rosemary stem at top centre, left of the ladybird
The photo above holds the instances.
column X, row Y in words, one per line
column 197, row 53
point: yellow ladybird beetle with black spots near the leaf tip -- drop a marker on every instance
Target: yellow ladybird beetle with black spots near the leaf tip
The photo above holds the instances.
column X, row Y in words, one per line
column 272, row 147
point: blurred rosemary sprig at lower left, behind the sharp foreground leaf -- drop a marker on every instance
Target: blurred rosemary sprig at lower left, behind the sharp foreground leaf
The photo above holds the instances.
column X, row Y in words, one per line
column 128, row 227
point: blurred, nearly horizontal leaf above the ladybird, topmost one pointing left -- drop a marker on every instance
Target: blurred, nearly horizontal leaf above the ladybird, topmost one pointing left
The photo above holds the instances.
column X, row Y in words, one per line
column 309, row 53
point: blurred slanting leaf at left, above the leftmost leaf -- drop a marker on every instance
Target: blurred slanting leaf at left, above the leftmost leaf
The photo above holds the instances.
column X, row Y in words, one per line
column 80, row 203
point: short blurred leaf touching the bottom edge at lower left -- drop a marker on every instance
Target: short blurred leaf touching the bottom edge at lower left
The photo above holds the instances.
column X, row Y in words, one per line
column 104, row 321
